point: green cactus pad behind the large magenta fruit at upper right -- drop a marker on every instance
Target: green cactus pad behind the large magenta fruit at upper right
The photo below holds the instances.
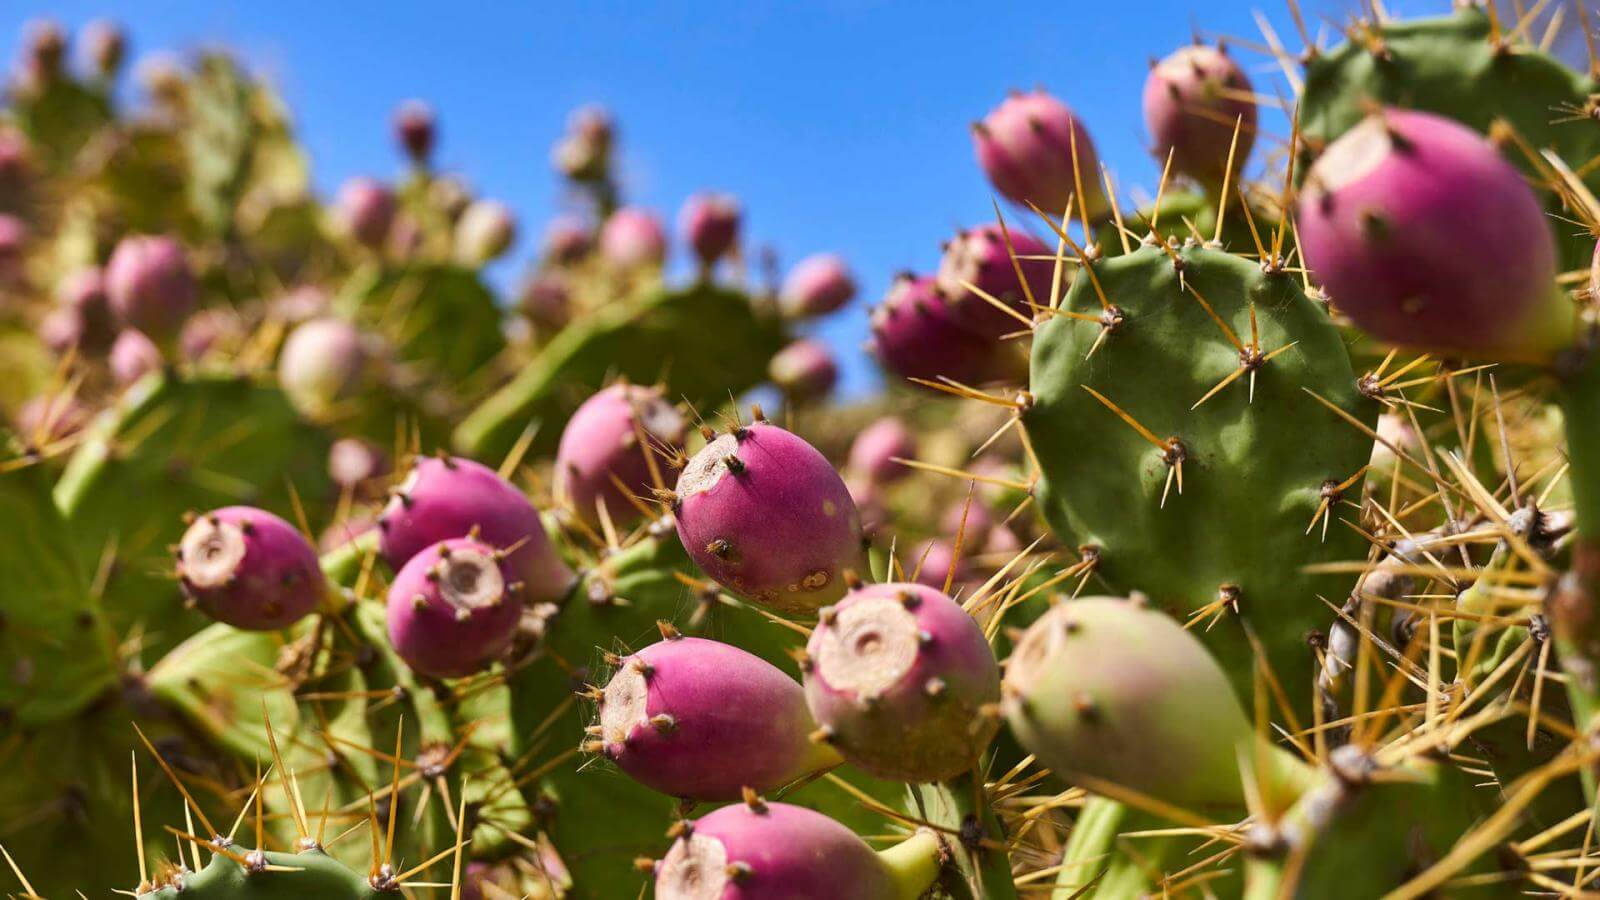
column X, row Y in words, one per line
column 1450, row 66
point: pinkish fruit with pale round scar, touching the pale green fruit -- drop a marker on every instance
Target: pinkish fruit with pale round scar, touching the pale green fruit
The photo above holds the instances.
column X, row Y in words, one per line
column 902, row 681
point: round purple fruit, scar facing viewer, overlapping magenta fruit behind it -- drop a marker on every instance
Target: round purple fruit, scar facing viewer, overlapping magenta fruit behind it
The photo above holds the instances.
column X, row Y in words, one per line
column 454, row 609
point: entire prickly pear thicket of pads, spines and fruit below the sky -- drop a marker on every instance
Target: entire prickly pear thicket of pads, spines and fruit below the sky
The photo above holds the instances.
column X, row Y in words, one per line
column 1246, row 544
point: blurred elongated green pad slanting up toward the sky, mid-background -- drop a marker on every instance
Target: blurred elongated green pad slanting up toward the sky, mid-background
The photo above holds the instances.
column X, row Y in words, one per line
column 706, row 344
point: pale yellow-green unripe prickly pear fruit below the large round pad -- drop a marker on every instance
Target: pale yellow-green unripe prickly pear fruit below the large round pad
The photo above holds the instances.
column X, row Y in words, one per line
column 1106, row 691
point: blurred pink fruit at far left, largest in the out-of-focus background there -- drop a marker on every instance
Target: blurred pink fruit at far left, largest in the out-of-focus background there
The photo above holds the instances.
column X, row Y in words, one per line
column 150, row 284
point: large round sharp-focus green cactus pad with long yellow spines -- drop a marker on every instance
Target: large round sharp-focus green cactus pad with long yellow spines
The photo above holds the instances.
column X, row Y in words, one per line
column 1254, row 473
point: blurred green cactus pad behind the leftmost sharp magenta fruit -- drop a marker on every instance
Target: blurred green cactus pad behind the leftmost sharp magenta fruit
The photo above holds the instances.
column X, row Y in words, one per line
column 174, row 446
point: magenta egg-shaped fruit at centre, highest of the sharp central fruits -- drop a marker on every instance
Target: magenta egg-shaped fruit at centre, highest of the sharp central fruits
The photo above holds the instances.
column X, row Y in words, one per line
column 767, row 516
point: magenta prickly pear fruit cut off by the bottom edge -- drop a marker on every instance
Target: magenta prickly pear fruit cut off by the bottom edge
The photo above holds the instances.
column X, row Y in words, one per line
column 772, row 851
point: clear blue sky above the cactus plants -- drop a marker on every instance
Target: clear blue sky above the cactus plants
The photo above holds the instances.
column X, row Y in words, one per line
column 841, row 124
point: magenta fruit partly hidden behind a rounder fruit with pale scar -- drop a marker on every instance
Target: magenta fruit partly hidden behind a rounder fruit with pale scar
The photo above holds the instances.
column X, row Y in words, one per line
column 450, row 497
